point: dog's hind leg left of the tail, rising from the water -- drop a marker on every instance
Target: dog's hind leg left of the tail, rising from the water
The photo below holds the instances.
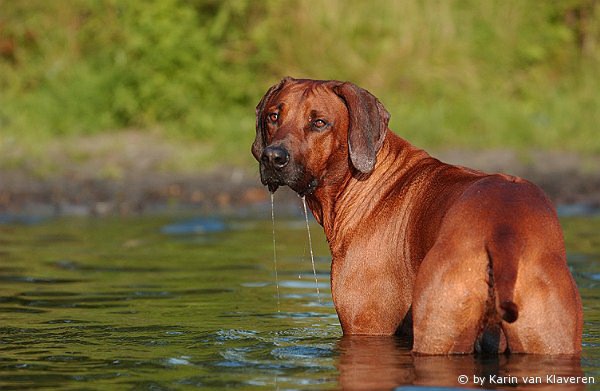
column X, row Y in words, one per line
column 450, row 295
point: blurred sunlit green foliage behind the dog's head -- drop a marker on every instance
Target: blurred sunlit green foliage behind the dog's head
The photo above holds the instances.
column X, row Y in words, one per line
column 453, row 73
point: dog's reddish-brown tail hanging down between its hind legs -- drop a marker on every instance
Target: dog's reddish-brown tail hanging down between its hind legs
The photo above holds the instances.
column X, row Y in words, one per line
column 502, row 269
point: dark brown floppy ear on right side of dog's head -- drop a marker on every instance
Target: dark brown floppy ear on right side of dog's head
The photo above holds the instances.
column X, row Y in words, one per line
column 368, row 125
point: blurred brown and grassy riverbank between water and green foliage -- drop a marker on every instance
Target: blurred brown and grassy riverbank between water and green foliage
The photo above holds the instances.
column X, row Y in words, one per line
column 133, row 173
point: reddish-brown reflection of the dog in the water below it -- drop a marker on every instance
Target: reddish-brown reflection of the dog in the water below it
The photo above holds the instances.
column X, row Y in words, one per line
column 374, row 363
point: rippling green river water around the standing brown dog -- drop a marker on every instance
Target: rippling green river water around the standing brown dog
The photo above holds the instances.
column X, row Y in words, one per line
column 163, row 303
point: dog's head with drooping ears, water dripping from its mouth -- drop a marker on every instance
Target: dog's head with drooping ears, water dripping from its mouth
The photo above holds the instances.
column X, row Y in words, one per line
column 311, row 132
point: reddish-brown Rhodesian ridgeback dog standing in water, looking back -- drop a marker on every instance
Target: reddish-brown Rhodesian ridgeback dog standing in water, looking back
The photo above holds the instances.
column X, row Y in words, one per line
column 475, row 261
